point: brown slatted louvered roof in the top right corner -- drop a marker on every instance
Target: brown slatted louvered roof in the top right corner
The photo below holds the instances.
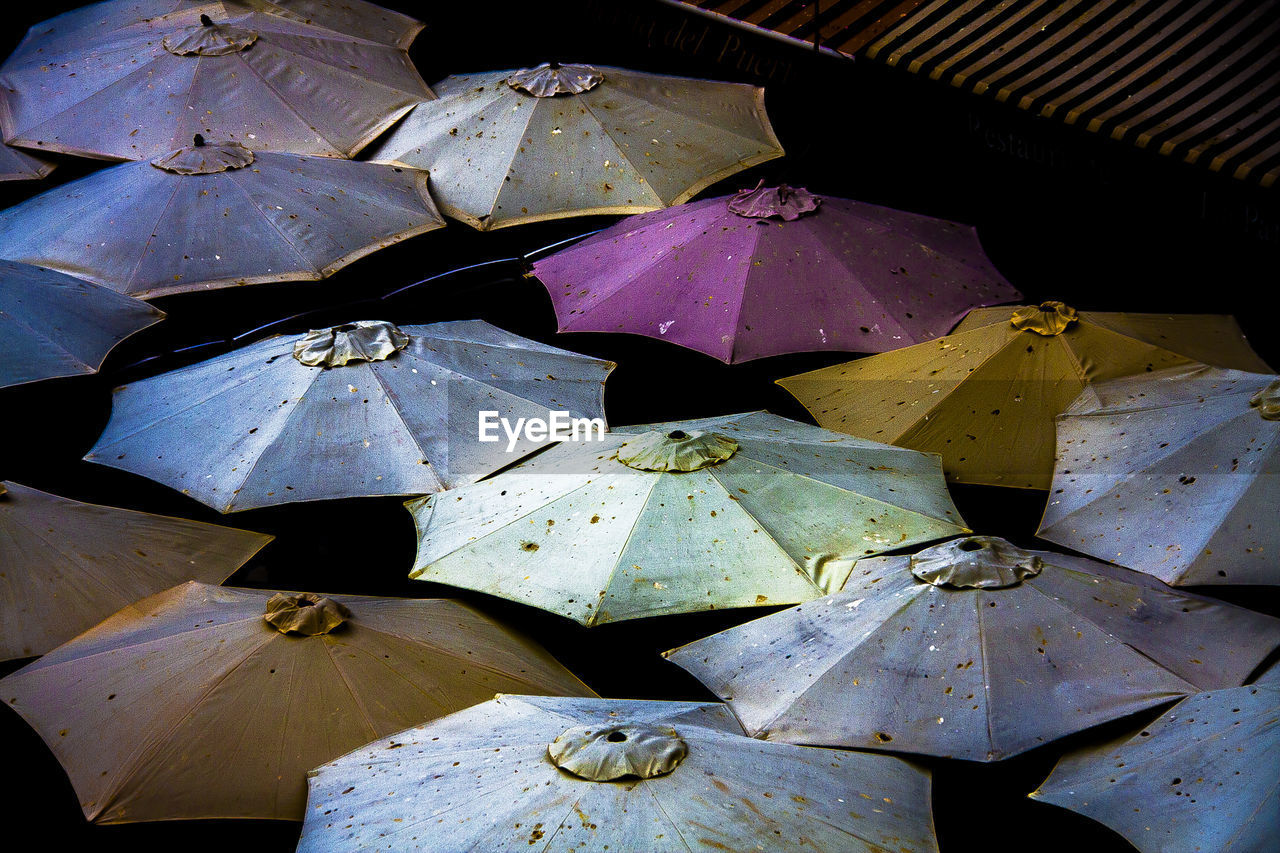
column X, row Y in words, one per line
column 1194, row 80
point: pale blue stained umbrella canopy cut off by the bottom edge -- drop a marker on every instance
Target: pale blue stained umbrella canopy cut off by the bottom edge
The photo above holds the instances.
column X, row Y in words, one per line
column 525, row 773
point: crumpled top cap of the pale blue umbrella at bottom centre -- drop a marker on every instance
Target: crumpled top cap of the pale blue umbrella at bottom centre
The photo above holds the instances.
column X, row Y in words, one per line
column 618, row 750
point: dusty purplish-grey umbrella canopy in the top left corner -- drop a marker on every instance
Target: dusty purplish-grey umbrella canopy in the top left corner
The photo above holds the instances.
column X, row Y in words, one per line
column 131, row 81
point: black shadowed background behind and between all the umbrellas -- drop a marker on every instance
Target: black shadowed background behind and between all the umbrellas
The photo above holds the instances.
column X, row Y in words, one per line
column 1062, row 213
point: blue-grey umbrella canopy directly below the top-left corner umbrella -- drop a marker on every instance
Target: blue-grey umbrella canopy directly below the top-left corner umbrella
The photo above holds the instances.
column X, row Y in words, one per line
column 218, row 216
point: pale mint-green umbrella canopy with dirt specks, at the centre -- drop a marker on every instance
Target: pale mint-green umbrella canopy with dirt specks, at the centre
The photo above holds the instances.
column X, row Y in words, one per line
column 733, row 512
